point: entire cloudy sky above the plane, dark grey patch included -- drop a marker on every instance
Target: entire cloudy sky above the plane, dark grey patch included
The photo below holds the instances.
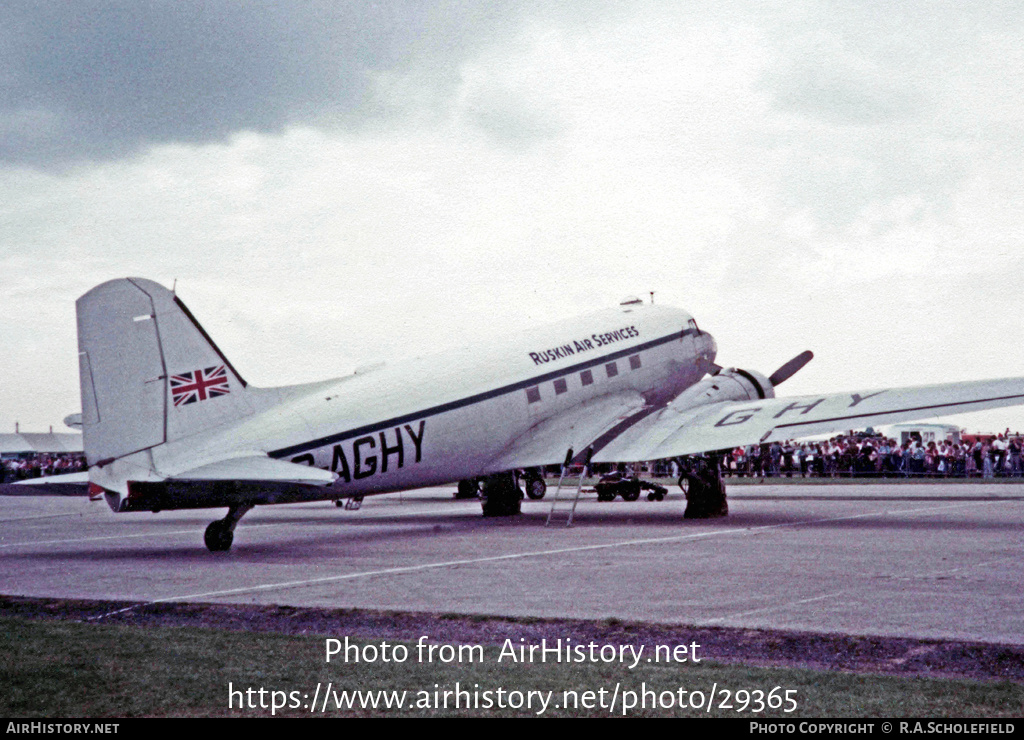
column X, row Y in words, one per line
column 330, row 184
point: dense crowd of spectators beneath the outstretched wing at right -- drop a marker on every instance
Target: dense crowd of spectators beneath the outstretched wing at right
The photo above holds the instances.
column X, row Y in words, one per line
column 876, row 456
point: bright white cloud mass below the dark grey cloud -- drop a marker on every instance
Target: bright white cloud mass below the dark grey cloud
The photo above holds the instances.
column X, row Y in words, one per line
column 790, row 184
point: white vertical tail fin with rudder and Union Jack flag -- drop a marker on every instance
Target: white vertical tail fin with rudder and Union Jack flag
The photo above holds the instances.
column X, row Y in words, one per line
column 149, row 372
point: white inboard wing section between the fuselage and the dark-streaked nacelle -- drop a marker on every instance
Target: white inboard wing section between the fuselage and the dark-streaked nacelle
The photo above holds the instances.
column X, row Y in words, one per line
column 578, row 427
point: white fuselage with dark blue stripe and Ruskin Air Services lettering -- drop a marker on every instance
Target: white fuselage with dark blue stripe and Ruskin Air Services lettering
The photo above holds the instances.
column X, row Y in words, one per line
column 448, row 417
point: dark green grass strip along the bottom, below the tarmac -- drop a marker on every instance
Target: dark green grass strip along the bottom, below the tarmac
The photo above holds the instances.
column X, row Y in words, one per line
column 63, row 669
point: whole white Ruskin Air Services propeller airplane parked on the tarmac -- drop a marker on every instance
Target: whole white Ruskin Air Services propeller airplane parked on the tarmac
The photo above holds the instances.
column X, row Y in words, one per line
column 168, row 422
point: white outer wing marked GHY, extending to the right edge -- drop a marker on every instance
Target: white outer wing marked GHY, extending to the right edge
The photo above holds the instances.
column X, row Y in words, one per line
column 723, row 425
